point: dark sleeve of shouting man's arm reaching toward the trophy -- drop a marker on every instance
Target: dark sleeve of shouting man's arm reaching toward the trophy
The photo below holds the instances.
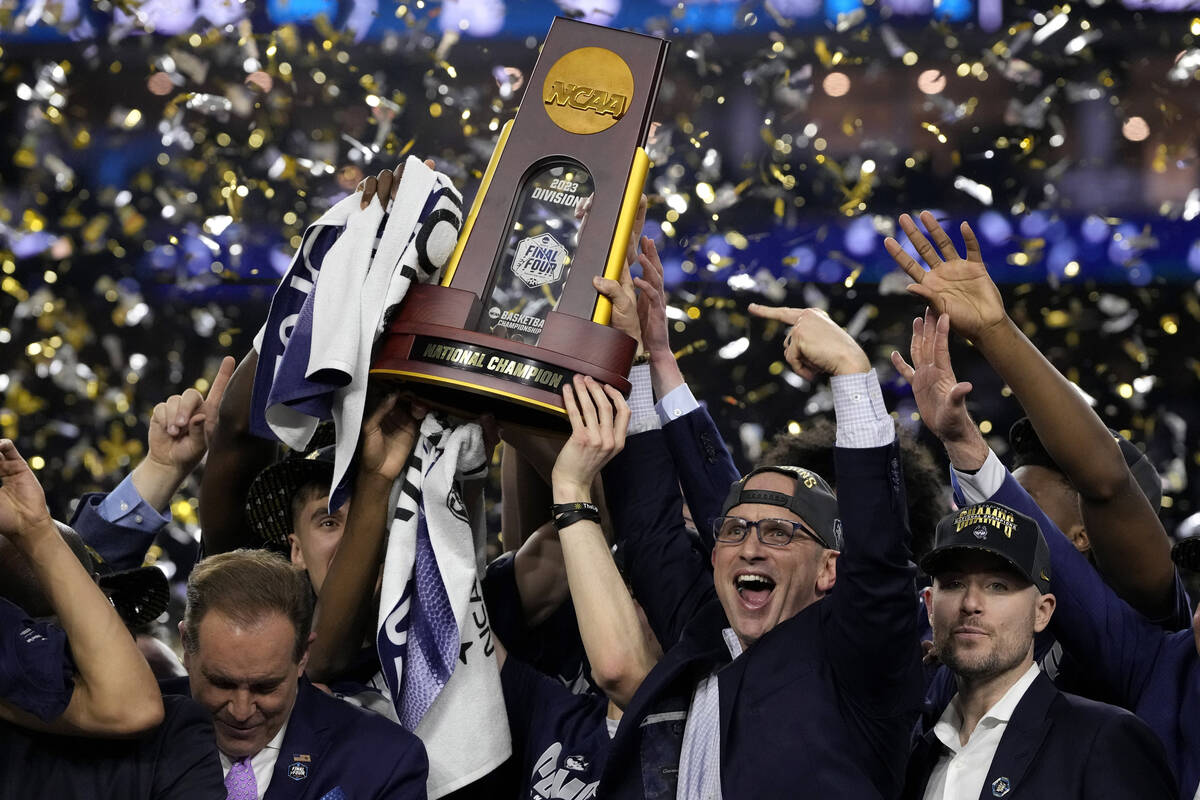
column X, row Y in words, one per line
column 665, row 564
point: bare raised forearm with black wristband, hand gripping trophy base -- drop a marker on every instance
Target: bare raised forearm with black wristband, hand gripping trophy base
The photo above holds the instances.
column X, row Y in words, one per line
column 607, row 615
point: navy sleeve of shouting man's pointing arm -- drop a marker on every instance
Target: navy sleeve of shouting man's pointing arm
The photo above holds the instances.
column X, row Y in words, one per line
column 873, row 637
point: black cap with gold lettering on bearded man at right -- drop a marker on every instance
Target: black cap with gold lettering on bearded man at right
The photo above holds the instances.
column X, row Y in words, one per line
column 997, row 530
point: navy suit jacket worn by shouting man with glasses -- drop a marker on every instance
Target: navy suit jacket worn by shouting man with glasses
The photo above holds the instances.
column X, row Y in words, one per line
column 823, row 706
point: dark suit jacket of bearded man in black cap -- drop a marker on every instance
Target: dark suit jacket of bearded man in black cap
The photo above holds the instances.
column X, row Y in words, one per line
column 1061, row 747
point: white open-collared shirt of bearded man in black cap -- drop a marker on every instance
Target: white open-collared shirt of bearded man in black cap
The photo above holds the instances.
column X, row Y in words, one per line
column 963, row 769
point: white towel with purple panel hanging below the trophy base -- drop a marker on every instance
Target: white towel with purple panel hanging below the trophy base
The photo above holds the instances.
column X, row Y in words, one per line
column 435, row 640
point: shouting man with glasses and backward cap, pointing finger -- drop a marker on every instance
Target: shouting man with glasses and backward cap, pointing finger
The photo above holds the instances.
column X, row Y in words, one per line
column 779, row 683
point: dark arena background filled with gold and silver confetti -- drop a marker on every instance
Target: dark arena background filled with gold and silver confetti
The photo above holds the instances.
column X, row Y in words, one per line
column 161, row 159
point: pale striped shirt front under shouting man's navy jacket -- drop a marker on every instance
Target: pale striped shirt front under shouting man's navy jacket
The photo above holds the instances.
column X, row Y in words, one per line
column 700, row 759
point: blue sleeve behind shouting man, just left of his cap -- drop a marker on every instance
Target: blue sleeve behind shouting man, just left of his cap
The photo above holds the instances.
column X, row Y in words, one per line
column 705, row 465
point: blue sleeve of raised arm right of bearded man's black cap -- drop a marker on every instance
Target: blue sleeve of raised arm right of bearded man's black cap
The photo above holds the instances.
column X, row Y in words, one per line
column 1096, row 627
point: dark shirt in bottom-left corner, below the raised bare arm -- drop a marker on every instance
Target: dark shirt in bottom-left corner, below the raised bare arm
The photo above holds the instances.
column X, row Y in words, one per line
column 177, row 761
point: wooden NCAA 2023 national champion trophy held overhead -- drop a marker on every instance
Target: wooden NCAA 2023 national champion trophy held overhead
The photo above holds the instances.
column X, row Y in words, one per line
column 515, row 316
